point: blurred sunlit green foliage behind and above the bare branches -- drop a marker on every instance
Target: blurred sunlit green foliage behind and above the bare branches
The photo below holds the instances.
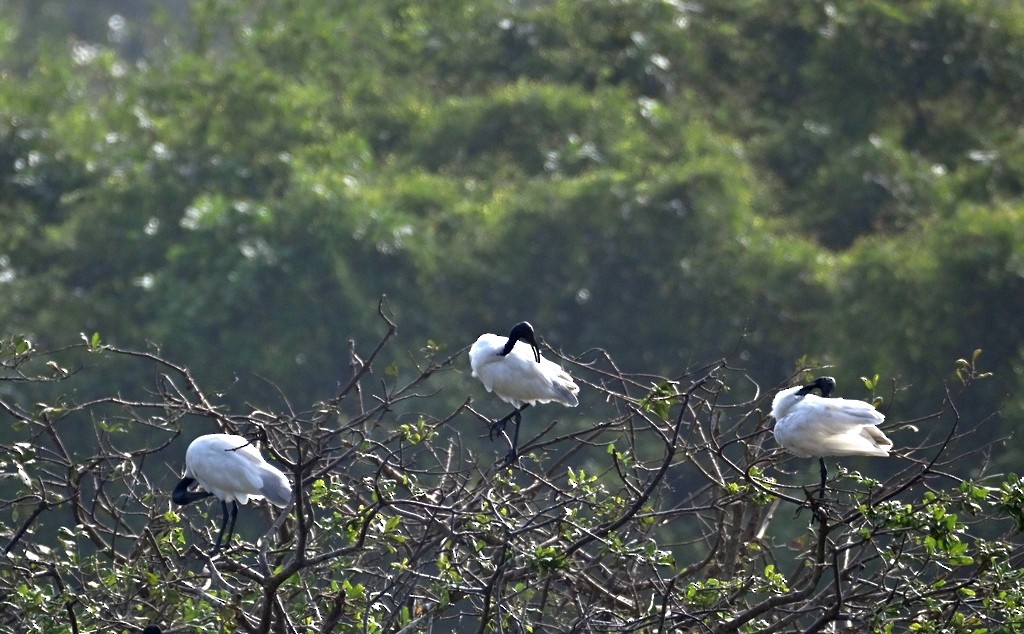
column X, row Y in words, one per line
column 775, row 183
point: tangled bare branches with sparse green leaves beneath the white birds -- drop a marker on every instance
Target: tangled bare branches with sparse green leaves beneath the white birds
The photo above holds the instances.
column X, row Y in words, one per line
column 680, row 517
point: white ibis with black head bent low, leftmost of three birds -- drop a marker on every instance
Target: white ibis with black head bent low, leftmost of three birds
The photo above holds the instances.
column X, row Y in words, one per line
column 230, row 469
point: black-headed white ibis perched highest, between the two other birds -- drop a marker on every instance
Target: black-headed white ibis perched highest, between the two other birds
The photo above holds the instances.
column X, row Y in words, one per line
column 513, row 368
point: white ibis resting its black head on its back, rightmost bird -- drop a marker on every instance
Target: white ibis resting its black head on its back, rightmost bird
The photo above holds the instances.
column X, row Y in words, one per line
column 810, row 427
